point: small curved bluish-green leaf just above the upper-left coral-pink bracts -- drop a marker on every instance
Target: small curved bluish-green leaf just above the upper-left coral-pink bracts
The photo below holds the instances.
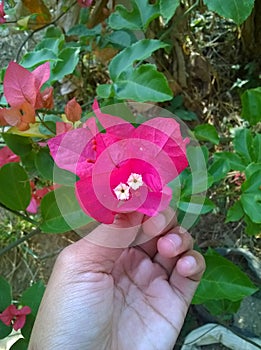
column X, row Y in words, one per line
column 35, row 58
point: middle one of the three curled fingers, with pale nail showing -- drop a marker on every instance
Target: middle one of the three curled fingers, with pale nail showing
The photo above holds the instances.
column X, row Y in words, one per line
column 171, row 246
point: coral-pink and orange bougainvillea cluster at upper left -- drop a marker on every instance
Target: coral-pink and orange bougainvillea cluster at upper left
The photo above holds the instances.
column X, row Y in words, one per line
column 22, row 92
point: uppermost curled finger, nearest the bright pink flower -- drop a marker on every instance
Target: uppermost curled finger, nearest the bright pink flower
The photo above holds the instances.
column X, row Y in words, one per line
column 153, row 228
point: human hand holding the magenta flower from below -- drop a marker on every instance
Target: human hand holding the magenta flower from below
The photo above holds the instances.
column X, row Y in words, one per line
column 120, row 298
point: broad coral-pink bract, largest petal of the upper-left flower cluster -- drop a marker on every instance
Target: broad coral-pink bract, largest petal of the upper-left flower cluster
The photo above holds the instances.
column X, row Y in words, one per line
column 19, row 85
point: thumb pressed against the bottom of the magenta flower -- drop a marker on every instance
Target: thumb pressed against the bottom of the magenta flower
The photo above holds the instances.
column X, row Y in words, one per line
column 100, row 248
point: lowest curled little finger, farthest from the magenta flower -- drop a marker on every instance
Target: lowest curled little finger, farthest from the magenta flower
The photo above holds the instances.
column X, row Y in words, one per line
column 187, row 274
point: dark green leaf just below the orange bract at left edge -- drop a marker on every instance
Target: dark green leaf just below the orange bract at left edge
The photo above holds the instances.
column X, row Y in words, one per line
column 20, row 145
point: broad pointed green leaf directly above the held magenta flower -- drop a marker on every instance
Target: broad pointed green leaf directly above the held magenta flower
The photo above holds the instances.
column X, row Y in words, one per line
column 143, row 84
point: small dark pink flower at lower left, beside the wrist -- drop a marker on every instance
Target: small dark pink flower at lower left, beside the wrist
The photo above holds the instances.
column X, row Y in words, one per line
column 14, row 316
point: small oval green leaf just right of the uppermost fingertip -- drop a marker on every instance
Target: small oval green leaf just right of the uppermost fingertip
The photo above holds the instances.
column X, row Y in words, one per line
column 196, row 205
